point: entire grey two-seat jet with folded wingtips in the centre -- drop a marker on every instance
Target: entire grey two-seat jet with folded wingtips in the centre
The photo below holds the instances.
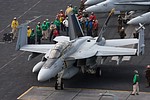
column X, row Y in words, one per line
column 76, row 52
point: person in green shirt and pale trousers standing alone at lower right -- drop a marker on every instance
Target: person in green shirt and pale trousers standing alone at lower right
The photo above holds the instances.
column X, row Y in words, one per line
column 135, row 83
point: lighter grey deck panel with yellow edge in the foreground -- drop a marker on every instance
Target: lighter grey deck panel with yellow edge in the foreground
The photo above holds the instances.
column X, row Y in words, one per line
column 49, row 93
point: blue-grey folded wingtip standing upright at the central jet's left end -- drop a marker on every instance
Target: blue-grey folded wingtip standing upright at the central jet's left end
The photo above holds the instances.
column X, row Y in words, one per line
column 22, row 36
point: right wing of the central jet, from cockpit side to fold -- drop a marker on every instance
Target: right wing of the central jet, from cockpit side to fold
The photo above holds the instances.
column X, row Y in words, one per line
column 91, row 49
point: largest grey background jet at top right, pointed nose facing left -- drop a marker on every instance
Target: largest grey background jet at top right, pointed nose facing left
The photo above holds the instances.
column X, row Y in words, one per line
column 119, row 5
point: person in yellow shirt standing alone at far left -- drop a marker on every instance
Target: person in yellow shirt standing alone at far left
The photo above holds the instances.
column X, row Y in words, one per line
column 14, row 26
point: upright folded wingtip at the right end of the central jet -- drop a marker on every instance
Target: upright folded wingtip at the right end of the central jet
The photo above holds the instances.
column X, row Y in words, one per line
column 141, row 44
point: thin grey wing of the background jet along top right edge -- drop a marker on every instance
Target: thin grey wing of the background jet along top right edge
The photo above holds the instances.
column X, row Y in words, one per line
column 134, row 3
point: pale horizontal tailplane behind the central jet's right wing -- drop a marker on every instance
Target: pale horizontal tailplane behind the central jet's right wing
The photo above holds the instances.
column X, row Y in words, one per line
column 121, row 42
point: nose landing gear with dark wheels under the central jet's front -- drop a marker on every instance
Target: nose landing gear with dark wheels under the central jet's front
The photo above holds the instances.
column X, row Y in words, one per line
column 59, row 85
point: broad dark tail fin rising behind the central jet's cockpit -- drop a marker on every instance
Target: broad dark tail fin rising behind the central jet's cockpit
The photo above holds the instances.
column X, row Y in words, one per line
column 75, row 29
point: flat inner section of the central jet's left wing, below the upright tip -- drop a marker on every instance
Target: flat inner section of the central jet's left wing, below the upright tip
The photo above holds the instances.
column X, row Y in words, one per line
column 43, row 48
